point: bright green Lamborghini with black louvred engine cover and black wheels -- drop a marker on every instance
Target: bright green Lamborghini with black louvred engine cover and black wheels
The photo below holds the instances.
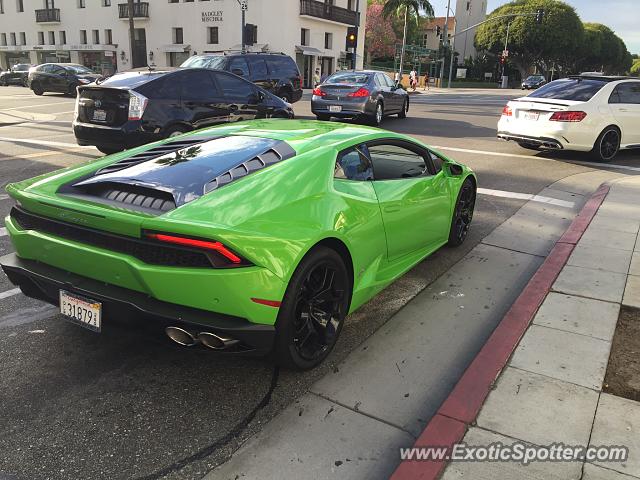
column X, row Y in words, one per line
column 259, row 236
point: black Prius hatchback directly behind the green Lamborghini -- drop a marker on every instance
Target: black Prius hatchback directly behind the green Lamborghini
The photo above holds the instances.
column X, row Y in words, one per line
column 133, row 108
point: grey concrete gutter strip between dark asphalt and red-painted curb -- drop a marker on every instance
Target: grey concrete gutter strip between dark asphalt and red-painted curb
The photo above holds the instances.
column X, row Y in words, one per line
column 352, row 423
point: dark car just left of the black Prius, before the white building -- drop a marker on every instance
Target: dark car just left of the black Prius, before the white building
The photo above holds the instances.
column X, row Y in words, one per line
column 60, row 77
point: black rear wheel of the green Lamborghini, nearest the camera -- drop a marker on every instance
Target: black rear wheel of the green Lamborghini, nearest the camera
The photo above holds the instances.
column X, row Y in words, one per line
column 313, row 310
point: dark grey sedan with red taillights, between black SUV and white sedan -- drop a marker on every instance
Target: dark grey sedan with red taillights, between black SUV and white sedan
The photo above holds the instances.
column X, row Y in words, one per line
column 367, row 95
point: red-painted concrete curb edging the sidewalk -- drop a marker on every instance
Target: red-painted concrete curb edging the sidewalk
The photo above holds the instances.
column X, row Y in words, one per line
column 463, row 404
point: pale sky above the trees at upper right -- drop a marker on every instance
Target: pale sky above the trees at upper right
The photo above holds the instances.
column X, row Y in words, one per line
column 622, row 16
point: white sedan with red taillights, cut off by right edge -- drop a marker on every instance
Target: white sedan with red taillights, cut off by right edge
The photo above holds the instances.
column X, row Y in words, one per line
column 588, row 113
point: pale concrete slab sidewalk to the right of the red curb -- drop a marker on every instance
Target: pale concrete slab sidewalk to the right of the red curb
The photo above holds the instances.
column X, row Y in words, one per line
column 550, row 390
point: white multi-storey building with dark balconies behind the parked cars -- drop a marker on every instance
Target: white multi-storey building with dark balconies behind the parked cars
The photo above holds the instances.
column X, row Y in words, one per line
column 96, row 32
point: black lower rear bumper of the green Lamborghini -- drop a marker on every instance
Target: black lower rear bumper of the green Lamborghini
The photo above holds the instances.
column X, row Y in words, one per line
column 119, row 304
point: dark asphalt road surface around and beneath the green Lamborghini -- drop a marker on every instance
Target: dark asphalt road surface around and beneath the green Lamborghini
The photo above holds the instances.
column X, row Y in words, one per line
column 80, row 405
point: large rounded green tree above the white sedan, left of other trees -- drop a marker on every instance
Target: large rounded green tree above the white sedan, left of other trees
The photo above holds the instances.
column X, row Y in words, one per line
column 552, row 42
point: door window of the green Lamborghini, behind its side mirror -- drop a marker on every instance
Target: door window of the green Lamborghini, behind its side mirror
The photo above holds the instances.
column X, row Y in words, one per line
column 392, row 162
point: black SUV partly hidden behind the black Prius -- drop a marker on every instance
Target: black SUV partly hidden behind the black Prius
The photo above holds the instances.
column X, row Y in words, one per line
column 275, row 72
